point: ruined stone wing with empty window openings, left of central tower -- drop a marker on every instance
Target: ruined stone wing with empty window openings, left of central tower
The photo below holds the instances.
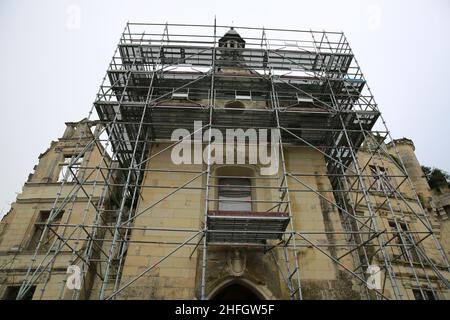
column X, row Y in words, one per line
column 23, row 236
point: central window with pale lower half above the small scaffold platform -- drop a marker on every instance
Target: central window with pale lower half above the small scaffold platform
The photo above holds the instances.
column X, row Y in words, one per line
column 235, row 194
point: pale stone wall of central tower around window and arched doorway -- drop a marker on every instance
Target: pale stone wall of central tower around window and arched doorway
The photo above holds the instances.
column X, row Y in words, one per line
column 179, row 276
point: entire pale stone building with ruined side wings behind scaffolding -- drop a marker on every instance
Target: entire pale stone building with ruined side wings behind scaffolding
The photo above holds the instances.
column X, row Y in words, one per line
column 130, row 223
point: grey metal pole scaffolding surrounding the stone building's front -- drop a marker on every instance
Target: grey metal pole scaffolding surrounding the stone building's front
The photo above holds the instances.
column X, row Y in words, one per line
column 315, row 96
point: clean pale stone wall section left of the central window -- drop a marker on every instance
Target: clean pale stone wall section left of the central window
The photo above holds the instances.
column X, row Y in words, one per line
column 175, row 277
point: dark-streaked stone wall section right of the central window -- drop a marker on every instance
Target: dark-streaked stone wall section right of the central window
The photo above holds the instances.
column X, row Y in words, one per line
column 313, row 211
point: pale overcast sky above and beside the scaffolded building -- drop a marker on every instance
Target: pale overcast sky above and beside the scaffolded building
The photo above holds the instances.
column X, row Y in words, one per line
column 54, row 54
